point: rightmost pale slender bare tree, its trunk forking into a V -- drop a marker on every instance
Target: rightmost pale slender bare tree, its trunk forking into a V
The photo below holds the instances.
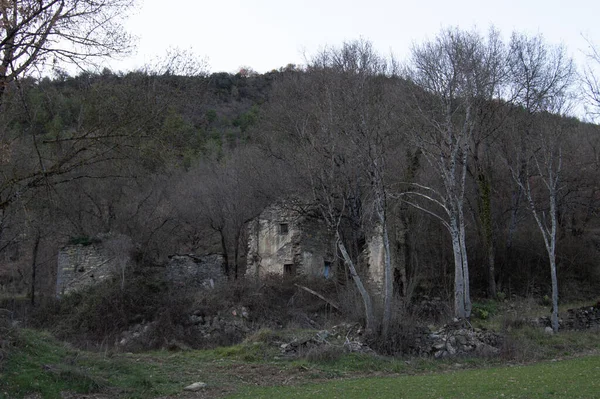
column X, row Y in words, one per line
column 540, row 80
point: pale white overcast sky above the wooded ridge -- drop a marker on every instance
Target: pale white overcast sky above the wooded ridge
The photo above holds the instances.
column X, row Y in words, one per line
column 268, row 34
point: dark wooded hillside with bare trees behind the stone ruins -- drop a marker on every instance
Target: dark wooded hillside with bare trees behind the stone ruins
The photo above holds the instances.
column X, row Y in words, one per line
column 467, row 156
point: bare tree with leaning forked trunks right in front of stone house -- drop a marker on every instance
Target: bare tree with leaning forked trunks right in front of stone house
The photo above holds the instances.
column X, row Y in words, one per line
column 332, row 124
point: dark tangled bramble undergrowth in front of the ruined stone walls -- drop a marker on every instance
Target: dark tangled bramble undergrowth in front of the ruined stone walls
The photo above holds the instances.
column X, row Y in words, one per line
column 96, row 318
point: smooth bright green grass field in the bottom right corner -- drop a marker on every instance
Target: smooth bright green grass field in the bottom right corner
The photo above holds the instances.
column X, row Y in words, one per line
column 575, row 378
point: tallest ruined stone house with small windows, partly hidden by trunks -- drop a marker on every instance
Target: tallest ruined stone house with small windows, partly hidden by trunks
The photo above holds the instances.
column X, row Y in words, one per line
column 284, row 241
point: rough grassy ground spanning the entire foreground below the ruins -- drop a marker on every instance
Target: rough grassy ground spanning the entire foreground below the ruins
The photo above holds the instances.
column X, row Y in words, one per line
column 38, row 363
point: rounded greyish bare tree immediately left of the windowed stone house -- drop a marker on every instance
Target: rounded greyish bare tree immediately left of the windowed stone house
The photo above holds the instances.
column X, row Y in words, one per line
column 226, row 194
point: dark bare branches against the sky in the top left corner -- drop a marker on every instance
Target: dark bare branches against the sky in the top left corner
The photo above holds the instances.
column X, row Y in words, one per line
column 38, row 33
